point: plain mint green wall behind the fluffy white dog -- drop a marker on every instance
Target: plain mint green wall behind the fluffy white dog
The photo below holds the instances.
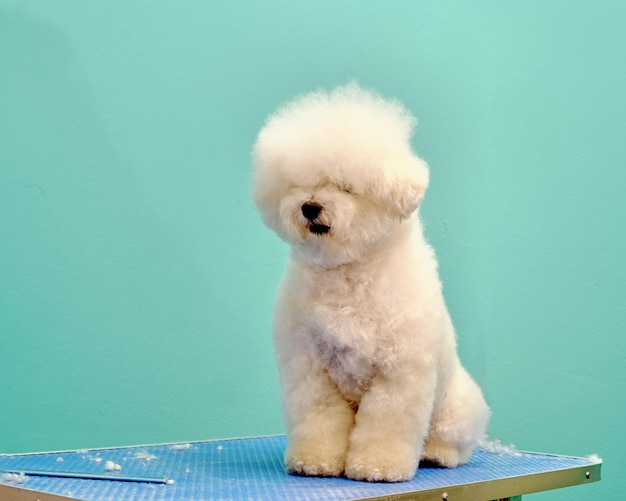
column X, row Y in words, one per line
column 136, row 281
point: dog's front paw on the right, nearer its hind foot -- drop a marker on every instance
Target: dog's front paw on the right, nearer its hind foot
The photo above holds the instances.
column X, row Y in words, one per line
column 380, row 466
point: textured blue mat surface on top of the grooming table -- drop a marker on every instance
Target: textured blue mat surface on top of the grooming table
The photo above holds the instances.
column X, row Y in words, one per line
column 246, row 469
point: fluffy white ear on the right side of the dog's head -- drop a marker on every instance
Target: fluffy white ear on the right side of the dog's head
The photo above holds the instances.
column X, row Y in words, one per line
column 406, row 185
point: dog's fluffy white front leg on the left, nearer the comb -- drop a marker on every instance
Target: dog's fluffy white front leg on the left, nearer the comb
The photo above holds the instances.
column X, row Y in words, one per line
column 318, row 420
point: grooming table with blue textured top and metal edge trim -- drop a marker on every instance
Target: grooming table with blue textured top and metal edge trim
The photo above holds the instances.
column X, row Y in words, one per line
column 252, row 469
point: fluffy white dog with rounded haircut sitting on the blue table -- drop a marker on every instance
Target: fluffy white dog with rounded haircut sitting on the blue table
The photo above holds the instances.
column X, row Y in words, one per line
column 370, row 377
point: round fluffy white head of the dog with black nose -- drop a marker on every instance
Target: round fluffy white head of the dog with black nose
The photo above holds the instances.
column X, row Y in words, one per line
column 335, row 173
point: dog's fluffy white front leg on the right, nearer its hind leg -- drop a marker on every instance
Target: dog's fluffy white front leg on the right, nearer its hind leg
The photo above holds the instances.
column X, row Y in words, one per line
column 391, row 425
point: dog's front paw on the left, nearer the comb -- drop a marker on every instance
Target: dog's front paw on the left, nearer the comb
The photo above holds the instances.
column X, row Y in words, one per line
column 315, row 459
